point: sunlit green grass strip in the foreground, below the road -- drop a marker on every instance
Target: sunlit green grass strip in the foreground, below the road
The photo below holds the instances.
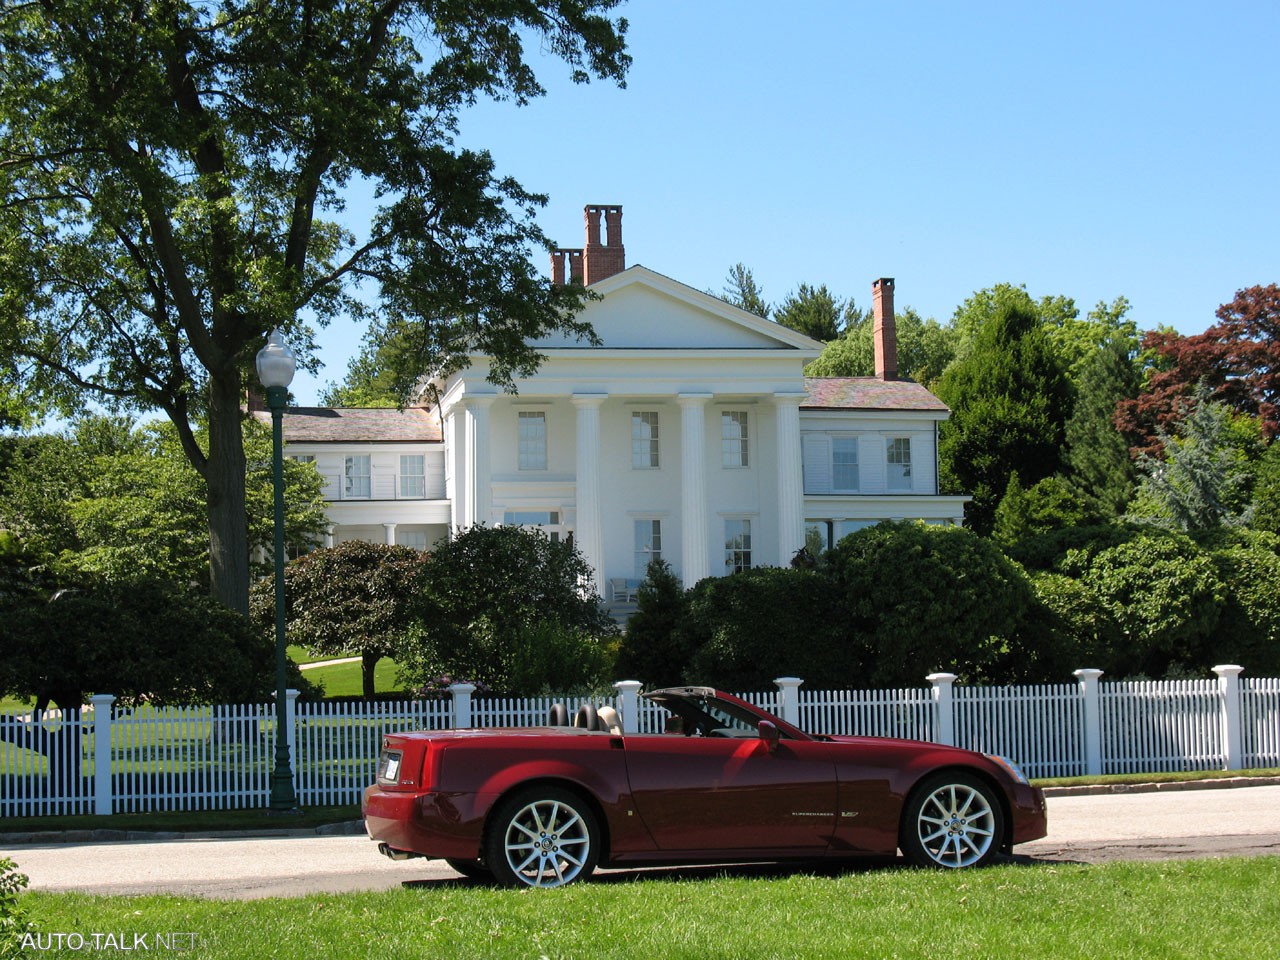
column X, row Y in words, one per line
column 1186, row 909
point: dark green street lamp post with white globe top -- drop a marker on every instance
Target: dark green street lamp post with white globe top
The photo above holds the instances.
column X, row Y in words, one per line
column 276, row 367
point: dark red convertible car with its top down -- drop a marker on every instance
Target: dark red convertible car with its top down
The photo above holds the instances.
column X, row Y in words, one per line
column 726, row 783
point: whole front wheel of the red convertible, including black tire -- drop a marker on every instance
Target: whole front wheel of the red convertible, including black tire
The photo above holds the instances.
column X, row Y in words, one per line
column 953, row 820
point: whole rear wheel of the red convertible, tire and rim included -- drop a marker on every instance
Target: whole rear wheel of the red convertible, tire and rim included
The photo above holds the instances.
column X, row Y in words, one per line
column 542, row 838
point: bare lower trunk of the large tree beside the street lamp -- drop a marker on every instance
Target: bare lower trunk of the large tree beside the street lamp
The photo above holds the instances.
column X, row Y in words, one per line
column 228, row 520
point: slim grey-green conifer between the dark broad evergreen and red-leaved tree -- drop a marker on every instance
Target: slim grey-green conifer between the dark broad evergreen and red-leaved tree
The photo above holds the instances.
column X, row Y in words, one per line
column 1098, row 461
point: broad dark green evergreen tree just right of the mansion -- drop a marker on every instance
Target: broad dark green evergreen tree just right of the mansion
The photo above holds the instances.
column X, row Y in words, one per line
column 1009, row 404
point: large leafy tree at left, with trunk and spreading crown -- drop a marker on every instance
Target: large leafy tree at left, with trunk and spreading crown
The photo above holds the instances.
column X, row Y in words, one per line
column 167, row 171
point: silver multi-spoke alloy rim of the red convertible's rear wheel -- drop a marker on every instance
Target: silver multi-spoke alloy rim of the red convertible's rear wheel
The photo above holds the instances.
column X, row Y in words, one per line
column 547, row 844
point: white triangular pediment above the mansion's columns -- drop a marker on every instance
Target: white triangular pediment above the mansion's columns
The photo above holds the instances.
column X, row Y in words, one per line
column 639, row 309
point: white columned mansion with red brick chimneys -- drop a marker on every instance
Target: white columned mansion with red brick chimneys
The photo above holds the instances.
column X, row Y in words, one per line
column 691, row 435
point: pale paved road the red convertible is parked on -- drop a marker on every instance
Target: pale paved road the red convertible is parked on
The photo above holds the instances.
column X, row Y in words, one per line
column 1082, row 829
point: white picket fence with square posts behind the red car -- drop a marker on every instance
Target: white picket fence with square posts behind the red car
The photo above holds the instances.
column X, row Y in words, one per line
column 108, row 760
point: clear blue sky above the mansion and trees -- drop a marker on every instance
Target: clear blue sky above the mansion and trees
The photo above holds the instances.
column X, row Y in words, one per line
column 1087, row 150
